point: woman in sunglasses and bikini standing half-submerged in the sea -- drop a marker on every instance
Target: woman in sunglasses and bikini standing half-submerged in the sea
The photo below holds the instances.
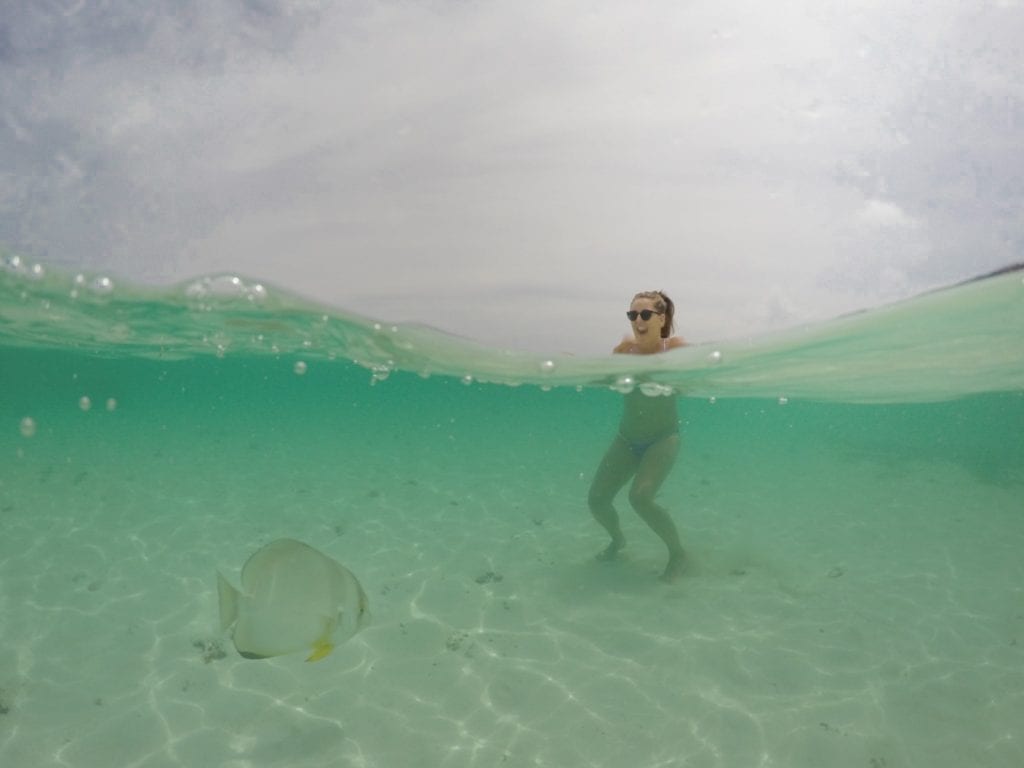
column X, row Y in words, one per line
column 648, row 442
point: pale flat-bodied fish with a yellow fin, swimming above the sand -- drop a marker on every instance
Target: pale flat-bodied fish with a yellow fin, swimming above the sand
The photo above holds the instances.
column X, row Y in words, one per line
column 293, row 599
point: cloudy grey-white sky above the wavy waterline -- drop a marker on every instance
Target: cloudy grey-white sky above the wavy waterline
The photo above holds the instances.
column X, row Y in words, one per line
column 515, row 170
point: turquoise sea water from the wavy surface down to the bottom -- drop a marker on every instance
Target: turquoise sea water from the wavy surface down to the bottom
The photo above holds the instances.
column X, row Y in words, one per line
column 850, row 497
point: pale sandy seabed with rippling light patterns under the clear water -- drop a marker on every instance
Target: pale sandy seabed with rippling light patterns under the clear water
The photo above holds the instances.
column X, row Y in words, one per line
column 839, row 612
